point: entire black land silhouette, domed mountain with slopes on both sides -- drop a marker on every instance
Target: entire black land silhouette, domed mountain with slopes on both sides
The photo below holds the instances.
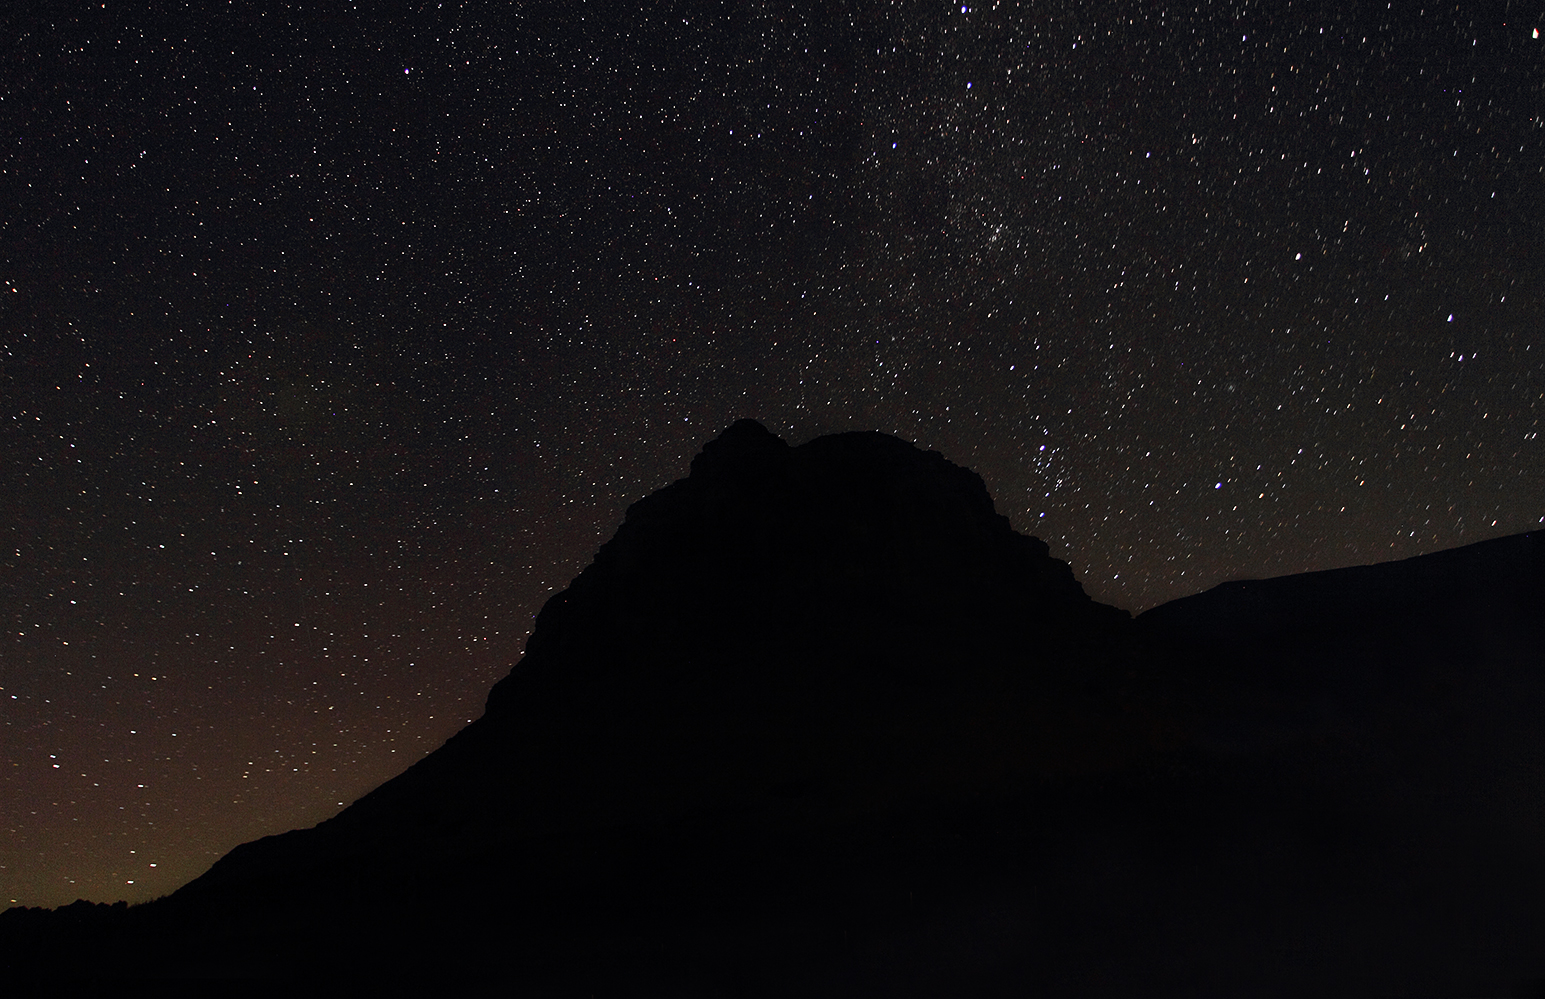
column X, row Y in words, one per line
column 818, row 722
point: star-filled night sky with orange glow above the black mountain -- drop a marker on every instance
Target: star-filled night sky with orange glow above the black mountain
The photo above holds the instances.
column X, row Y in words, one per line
column 333, row 344
